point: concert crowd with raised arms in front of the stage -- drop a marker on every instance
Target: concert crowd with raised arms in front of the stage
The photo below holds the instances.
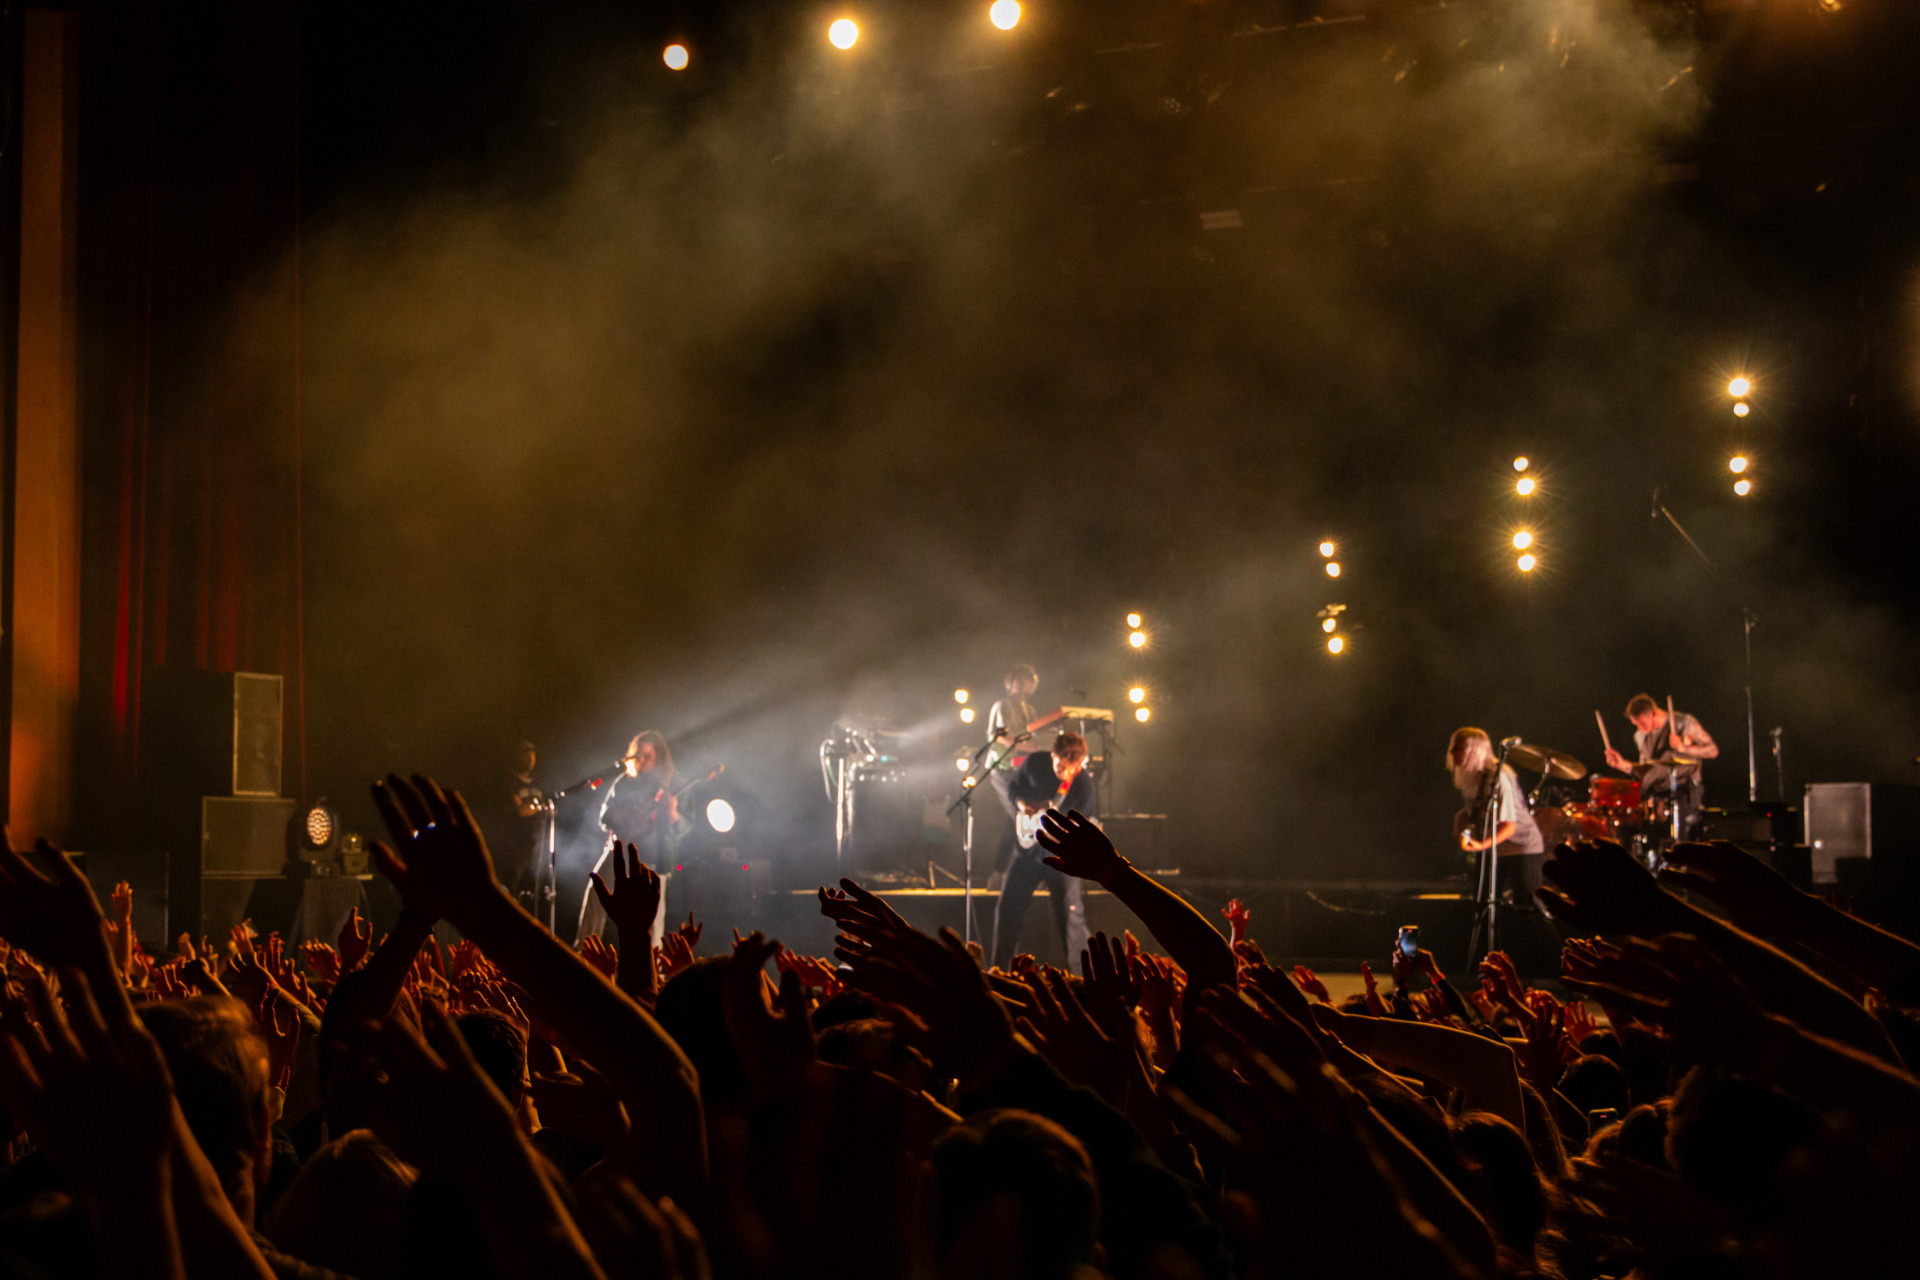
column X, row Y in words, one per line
column 1721, row 1085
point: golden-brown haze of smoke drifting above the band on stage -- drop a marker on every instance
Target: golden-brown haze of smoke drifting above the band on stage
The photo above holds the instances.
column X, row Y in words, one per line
column 794, row 410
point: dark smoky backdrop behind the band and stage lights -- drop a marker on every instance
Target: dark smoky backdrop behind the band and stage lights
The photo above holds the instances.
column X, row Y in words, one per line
column 809, row 385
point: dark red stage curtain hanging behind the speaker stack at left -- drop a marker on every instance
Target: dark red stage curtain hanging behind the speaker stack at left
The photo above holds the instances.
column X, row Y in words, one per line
column 189, row 153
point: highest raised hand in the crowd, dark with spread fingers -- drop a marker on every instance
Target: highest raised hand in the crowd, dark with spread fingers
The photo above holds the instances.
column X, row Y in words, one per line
column 439, row 859
